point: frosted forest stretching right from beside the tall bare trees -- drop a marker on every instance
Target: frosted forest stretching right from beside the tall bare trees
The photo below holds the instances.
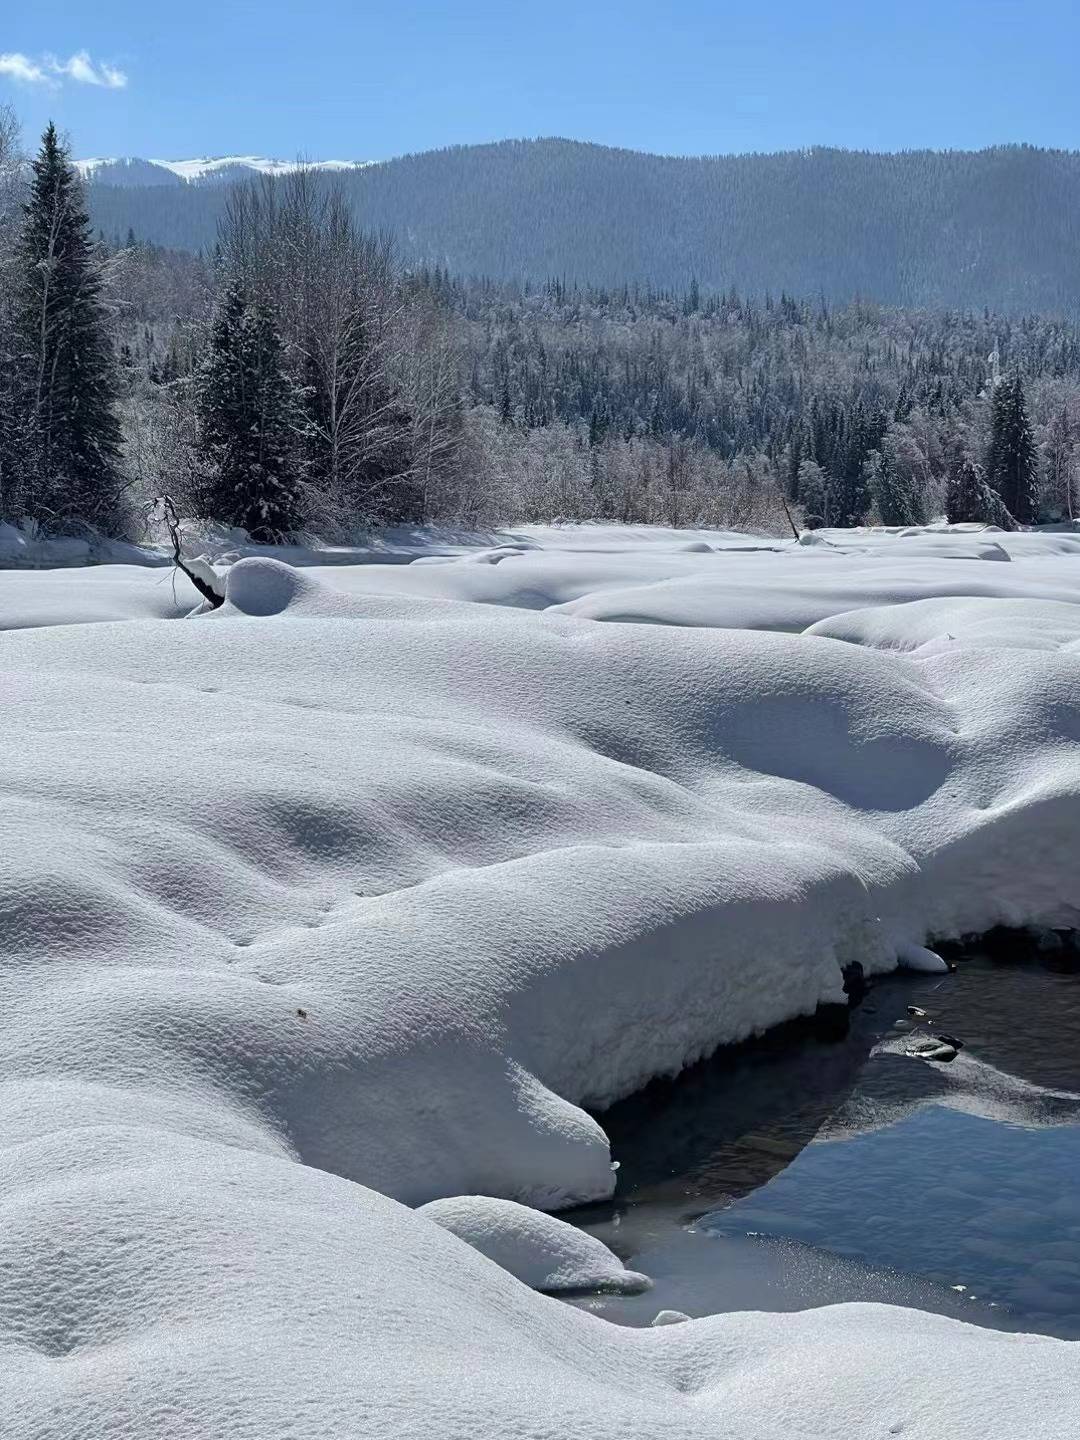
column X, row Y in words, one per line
column 856, row 413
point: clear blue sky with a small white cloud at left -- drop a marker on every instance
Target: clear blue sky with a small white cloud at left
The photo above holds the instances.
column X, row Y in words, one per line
column 335, row 80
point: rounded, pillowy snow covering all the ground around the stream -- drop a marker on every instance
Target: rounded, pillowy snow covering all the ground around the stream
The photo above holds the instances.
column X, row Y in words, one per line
column 359, row 892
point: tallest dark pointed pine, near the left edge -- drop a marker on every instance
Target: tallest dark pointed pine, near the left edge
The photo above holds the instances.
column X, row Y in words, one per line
column 68, row 388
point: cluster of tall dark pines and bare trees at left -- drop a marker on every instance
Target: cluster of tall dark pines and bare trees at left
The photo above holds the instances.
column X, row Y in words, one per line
column 297, row 381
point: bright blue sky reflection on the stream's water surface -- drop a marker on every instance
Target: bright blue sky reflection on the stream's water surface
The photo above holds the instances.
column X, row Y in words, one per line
column 963, row 1200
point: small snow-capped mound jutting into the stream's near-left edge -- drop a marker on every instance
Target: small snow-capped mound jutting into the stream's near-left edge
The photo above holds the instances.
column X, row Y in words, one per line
column 541, row 1251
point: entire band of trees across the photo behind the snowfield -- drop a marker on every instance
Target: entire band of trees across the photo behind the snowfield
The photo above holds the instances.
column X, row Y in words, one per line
column 300, row 378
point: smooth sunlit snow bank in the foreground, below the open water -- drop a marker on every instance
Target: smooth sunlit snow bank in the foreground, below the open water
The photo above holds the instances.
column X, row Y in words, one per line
column 156, row 1287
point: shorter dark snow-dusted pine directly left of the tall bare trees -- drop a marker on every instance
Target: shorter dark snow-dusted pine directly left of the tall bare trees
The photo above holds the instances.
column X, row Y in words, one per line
column 250, row 418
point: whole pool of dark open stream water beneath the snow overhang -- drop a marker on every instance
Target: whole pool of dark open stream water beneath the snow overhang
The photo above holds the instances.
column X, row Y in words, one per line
column 817, row 1173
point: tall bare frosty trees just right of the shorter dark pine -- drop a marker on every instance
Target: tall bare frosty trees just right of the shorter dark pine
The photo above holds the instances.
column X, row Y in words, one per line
column 351, row 328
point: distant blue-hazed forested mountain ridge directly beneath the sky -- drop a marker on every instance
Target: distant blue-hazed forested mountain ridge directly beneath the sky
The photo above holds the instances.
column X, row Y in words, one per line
column 997, row 228
